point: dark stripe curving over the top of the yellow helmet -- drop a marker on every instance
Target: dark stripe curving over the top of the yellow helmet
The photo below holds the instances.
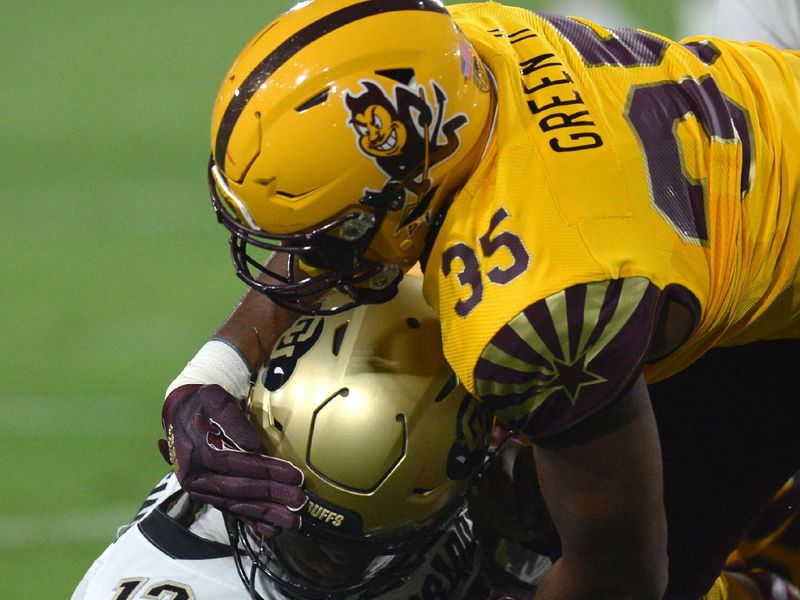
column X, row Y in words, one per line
column 297, row 42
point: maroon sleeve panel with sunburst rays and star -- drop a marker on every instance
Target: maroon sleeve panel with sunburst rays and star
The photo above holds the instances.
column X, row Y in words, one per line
column 564, row 357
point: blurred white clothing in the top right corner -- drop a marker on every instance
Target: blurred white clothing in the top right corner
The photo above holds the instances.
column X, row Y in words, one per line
column 776, row 22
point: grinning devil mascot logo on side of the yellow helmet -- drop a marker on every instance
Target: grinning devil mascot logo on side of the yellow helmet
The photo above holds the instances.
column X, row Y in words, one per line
column 405, row 141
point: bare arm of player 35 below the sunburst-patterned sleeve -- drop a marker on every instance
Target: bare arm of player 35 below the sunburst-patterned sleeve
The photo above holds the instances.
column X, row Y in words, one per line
column 602, row 482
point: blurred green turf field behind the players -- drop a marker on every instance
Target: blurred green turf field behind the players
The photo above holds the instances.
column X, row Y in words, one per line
column 113, row 269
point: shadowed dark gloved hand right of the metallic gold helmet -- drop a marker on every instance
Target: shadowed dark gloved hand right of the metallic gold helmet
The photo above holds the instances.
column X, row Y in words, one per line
column 506, row 500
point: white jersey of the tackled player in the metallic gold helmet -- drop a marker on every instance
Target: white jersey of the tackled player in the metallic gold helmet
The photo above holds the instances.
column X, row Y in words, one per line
column 158, row 557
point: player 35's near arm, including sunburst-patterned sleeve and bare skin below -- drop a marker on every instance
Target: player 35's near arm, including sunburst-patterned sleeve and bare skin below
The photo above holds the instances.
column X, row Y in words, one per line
column 567, row 372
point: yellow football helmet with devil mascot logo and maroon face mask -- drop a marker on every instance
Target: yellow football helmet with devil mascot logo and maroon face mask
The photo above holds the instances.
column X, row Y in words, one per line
column 337, row 137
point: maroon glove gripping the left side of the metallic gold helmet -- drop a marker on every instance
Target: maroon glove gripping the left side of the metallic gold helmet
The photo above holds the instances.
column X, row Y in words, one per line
column 218, row 458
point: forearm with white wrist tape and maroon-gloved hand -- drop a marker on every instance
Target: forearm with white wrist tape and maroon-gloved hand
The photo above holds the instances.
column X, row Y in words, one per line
column 210, row 444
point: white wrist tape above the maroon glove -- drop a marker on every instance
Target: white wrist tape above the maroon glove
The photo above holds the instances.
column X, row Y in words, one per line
column 216, row 362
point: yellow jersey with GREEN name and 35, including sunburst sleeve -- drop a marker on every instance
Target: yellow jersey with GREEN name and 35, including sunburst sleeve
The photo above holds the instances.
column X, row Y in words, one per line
column 625, row 169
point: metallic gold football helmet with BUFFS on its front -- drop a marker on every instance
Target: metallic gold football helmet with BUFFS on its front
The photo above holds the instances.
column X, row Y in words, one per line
column 366, row 406
